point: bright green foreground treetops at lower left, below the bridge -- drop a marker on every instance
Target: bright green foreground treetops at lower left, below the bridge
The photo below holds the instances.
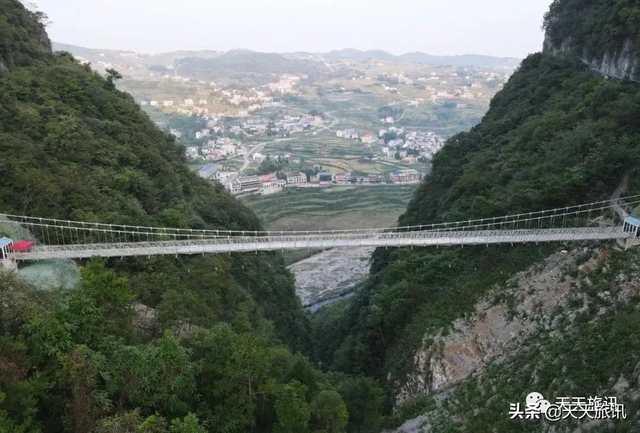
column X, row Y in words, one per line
column 72, row 362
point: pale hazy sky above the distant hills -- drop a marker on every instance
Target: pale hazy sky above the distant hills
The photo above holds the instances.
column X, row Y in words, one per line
column 441, row 27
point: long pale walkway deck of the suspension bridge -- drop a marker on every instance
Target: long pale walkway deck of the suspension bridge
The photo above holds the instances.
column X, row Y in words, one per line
column 367, row 239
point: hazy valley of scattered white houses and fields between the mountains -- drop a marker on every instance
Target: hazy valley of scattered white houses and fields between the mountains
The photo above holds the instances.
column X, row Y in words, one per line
column 260, row 134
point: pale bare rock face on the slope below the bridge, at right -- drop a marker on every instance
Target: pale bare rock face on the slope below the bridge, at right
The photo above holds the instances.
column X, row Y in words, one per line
column 497, row 326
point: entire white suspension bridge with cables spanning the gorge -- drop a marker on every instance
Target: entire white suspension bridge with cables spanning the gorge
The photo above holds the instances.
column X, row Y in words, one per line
column 65, row 239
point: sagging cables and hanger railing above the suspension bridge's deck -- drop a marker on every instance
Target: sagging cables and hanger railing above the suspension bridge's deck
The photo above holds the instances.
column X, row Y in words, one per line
column 67, row 233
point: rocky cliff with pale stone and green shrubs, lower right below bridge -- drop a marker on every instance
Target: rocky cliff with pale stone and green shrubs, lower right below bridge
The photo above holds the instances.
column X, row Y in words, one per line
column 564, row 327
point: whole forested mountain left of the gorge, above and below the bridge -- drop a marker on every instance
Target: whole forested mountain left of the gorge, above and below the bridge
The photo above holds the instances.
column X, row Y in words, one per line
column 224, row 348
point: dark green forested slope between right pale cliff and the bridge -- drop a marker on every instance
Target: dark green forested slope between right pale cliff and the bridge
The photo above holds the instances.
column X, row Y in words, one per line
column 556, row 135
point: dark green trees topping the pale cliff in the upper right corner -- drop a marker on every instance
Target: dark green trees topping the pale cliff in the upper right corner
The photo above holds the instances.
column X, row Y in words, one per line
column 594, row 27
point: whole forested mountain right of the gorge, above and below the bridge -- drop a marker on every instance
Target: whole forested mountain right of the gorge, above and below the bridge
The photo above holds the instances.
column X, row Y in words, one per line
column 558, row 134
